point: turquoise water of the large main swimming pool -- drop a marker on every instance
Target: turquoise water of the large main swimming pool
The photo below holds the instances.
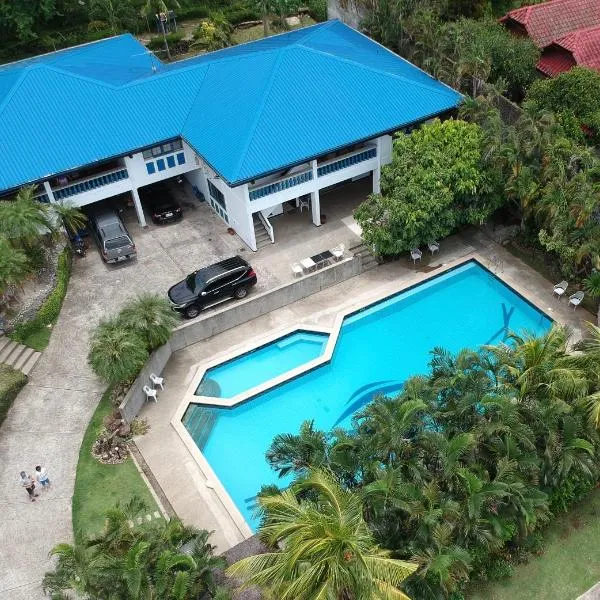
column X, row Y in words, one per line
column 377, row 350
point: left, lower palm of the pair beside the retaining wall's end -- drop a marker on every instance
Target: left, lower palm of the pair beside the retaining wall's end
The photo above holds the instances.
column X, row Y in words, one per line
column 116, row 353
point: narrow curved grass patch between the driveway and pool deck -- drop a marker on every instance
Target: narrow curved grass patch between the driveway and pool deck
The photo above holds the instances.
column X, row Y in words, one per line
column 99, row 487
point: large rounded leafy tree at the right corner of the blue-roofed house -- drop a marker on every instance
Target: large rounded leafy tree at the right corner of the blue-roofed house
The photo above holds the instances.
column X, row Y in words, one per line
column 436, row 182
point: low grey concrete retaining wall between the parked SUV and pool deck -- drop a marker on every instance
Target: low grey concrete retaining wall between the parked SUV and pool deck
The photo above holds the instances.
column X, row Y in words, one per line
column 232, row 315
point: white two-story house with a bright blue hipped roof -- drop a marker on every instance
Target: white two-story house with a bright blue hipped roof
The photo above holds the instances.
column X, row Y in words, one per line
column 251, row 127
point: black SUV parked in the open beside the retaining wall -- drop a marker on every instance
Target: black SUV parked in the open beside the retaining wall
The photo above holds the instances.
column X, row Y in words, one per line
column 228, row 278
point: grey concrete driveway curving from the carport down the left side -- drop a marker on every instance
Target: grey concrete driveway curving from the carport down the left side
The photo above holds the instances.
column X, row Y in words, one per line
column 48, row 419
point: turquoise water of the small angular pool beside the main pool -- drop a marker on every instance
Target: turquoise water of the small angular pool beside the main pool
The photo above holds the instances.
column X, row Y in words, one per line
column 269, row 361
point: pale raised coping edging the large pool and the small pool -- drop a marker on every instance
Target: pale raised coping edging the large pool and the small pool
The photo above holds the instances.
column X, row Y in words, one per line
column 212, row 480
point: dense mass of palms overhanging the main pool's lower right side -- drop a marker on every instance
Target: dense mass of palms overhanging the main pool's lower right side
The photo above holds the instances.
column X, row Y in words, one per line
column 459, row 473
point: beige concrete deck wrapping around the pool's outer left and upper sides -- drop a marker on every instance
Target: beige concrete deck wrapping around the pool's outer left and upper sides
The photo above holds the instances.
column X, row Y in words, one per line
column 193, row 495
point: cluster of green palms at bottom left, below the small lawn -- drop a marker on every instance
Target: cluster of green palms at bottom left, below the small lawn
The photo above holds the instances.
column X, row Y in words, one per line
column 159, row 560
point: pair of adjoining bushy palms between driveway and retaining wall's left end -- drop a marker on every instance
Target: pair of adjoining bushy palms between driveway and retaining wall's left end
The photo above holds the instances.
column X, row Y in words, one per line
column 119, row 346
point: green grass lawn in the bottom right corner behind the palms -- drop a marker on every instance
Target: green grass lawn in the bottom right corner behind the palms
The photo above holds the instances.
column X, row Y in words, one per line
column 569, row 566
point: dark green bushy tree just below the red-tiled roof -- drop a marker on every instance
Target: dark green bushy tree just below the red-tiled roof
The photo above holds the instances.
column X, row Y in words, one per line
column 572, row 95
